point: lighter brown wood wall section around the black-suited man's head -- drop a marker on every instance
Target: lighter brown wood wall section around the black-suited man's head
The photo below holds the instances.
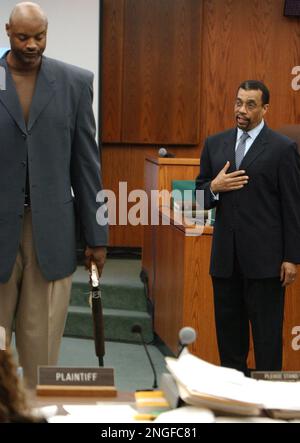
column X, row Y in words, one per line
column 247, row 40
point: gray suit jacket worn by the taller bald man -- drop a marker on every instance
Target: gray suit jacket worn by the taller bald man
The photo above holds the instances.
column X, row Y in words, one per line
column 59, row 145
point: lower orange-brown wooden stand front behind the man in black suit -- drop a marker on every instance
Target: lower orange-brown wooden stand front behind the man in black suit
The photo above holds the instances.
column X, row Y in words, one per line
column 183, row 294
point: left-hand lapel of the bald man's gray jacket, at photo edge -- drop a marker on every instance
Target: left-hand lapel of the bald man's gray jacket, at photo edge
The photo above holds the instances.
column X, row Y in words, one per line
column 10, row 99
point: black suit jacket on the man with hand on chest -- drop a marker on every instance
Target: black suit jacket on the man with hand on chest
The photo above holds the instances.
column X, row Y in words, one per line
column 262, row 220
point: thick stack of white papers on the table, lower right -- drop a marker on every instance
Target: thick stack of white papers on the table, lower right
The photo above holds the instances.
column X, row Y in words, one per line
column 229, row 391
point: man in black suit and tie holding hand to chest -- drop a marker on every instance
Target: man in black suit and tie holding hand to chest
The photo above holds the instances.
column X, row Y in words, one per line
column 251, row 174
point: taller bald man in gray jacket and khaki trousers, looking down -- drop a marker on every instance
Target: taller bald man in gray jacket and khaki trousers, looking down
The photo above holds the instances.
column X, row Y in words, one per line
column 49, row 172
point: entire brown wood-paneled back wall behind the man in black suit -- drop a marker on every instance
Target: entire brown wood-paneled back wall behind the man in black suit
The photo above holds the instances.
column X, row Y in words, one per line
column 237, row 40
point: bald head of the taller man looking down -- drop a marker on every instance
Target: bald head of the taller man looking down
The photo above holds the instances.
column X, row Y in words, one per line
column 27, row 32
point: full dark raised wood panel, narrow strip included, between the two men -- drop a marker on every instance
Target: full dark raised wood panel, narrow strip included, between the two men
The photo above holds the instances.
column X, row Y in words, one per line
column 151, row 75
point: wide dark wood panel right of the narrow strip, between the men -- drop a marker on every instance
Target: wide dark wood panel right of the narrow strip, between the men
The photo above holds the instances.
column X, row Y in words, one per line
column 161, row 75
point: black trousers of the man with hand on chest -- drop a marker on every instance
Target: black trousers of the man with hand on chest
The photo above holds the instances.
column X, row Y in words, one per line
column 238, row 301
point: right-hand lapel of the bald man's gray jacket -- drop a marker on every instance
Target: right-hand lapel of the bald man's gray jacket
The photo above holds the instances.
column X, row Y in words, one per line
column 44, row 91
